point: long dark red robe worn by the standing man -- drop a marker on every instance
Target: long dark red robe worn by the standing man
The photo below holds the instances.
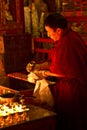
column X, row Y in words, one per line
column 69, row 57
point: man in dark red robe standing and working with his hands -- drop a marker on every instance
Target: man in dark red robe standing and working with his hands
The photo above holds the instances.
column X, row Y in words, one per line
column 68, row 62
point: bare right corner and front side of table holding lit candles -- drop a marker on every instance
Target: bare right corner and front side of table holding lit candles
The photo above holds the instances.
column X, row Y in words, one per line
column 39, row 119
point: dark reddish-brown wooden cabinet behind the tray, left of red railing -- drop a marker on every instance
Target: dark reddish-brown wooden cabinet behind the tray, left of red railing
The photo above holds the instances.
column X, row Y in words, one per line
column 17, row 52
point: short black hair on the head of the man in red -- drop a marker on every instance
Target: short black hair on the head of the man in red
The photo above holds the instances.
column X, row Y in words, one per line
column 56, row 20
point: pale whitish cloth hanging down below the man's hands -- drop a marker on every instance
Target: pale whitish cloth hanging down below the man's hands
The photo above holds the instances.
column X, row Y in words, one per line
column 42, row 92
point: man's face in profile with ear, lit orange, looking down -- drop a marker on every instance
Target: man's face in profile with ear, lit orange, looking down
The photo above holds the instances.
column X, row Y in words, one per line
column 54, row 34
